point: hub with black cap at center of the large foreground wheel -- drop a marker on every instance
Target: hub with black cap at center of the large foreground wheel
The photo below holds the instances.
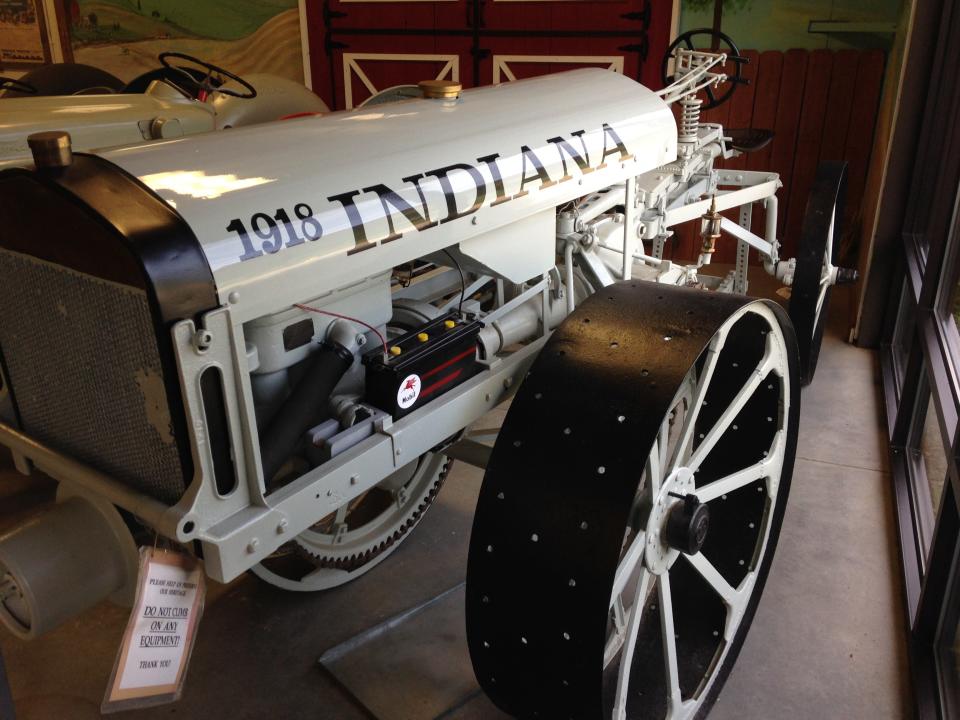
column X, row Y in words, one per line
column 670, row 526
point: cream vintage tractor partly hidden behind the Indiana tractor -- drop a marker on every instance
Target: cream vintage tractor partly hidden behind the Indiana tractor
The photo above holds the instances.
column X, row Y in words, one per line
column 185, row 96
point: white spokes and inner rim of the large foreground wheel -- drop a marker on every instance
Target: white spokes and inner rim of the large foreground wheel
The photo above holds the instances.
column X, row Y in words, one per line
column 674, row 458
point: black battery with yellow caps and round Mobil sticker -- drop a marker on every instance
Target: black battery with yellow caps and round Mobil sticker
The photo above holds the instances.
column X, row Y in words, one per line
column 423, row 364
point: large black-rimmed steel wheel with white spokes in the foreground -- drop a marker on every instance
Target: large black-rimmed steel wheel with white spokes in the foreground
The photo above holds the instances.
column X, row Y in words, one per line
column 632, row 505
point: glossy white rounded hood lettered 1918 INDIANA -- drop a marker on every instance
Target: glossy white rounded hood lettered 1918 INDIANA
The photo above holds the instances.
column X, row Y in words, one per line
column 220, row 177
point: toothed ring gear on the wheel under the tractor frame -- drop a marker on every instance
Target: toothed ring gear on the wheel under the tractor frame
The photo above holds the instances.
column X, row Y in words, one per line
column 385, row 515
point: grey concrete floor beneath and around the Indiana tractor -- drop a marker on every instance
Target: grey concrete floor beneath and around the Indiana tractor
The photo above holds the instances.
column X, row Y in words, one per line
column 828, row 640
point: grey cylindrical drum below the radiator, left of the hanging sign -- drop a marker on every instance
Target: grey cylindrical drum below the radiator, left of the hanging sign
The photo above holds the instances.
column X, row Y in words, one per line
column 63, row 561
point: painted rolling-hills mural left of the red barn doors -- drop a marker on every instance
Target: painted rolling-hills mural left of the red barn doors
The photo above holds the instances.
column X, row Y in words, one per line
column 124, row 37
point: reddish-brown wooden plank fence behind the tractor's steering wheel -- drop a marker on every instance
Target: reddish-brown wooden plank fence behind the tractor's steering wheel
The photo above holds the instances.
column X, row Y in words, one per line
column 821, row 105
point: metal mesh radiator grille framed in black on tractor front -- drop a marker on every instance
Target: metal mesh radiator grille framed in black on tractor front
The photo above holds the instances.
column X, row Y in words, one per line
column 85, row 371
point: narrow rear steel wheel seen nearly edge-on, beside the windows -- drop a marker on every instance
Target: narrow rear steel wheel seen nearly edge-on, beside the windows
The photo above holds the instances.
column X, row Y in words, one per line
column 817, row 272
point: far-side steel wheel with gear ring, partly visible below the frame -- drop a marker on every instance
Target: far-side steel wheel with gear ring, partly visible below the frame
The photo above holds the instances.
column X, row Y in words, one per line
column 360, row 534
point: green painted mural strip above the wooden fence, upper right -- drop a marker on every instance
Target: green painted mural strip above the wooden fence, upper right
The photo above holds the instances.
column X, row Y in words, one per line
column 783, row 24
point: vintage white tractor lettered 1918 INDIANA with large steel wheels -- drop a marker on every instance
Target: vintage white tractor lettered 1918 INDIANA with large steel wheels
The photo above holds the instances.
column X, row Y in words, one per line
column 266, row 346
